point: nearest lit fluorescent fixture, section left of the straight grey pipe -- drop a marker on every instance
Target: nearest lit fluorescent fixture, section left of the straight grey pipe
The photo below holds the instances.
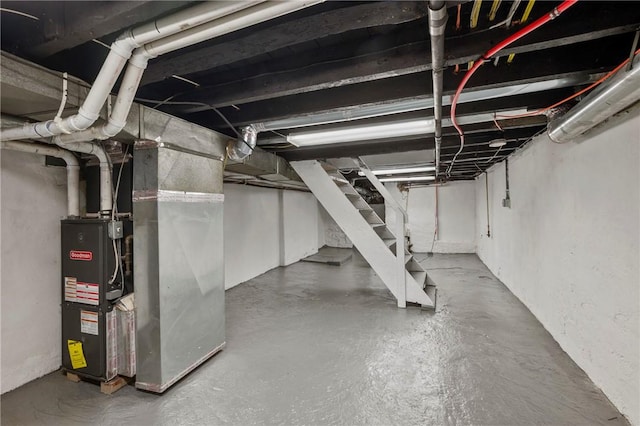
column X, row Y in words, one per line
column 363, row 133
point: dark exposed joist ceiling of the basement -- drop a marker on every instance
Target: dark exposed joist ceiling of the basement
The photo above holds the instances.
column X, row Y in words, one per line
column 345, row 57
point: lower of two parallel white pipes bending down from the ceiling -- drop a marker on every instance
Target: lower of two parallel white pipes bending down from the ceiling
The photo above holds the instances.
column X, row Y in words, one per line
column 243, row 18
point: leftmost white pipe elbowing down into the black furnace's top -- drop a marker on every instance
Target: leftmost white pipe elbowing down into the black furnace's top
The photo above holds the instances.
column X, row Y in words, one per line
column 73, row 169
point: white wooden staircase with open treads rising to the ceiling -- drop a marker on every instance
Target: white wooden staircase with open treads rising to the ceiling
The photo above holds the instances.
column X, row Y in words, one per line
column 404, row 277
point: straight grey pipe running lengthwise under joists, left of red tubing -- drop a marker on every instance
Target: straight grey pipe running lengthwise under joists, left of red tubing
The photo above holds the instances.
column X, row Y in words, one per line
column 437, row 26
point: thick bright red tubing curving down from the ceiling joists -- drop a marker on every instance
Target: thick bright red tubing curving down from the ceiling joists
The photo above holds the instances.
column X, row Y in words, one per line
column 557, row 11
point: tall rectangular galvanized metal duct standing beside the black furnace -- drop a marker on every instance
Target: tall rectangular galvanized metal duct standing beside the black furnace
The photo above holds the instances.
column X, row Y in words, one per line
column 179, row 273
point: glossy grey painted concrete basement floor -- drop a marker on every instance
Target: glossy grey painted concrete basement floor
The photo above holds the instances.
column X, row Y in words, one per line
column 318, row 344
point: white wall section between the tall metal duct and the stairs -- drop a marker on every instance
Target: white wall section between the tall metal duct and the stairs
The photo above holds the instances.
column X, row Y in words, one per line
column 265, row 228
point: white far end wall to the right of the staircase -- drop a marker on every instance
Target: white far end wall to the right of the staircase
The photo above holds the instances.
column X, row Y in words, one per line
column 456, row 217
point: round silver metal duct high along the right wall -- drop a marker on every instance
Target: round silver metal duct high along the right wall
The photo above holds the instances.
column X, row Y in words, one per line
column 622, row 90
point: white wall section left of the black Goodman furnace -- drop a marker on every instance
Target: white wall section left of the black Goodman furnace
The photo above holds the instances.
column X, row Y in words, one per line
column 33, row 202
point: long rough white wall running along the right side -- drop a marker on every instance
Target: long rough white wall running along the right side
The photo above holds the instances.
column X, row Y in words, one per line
column 569, row 248
